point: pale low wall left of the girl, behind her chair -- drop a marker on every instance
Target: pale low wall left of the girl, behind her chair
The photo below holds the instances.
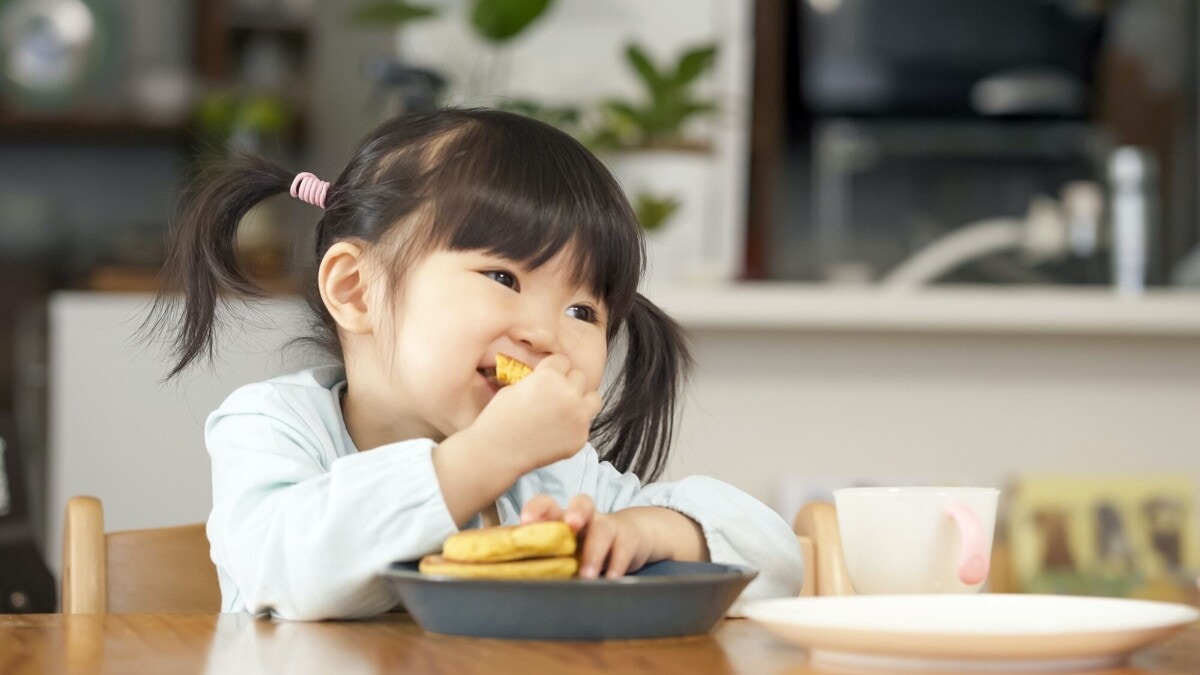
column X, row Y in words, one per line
column 119, row 433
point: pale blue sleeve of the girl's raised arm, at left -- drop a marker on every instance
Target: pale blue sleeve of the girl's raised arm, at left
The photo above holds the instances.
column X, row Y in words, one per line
column 305, row 542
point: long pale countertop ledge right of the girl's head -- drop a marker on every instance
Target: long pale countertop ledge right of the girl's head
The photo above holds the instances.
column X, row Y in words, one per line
column 784, row 307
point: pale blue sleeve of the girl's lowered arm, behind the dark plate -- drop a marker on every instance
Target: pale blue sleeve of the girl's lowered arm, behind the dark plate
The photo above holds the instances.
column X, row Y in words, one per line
column 739, row 529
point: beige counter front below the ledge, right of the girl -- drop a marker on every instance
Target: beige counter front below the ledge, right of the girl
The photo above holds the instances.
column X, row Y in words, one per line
column 789, row 415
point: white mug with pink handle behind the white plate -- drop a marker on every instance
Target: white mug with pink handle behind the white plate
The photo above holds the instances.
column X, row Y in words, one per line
column 917, row 540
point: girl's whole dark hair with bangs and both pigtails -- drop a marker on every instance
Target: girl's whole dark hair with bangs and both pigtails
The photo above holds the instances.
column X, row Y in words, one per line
column 454, row 180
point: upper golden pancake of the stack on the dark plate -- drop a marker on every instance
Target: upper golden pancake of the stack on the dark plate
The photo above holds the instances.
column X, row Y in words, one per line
column 511, row 542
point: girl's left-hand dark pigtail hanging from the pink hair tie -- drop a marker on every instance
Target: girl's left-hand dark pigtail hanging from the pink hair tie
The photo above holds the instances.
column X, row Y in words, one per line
column 202, row 262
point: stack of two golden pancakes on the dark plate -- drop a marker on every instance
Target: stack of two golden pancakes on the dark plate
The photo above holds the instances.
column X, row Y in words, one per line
column 538, row 551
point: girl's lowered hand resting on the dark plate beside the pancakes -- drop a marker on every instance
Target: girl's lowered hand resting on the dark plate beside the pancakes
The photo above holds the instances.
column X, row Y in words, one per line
column 625, row 541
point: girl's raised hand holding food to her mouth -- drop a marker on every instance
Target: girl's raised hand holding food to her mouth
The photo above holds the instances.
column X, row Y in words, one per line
column 544, row 419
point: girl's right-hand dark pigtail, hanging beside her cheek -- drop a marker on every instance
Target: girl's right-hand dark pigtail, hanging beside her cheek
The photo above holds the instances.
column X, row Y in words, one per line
column 638, row 428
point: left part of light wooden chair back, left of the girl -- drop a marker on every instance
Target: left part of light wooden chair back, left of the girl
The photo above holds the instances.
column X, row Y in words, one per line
column 161, row 571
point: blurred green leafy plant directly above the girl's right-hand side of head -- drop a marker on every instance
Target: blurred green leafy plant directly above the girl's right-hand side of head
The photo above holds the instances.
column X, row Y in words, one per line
column 658, row 121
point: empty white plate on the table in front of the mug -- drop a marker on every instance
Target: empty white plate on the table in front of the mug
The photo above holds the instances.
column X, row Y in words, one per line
column 970, row 632
